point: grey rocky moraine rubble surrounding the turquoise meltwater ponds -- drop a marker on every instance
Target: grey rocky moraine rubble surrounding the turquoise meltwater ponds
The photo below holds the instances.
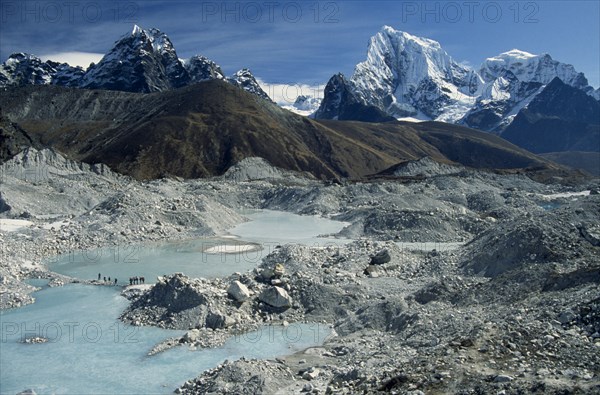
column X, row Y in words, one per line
column 504, row 299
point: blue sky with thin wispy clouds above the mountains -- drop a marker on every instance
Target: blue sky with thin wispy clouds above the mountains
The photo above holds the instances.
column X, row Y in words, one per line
column 306, row 41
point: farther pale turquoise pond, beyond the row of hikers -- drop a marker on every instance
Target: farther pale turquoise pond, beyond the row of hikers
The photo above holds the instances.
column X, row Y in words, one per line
column 267, row 228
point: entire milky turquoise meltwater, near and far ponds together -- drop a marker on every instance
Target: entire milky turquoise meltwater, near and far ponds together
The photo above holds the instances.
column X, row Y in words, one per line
column 89, row 351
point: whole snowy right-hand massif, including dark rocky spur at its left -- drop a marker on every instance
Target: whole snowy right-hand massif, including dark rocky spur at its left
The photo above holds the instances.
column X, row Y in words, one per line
column 409, row 76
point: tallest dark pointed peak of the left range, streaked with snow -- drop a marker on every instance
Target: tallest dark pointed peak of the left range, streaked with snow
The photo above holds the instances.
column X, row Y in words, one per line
column 142, row 61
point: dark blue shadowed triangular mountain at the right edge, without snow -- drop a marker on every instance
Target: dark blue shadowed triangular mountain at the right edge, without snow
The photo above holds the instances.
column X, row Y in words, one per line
column 560, row 118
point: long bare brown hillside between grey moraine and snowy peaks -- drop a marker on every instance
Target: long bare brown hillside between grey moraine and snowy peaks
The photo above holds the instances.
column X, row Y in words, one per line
column 203, row 129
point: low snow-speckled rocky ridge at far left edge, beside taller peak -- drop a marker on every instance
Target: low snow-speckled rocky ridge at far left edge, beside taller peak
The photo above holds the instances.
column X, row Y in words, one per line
column 26, row 69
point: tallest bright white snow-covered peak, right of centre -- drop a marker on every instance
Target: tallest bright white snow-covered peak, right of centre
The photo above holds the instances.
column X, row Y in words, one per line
column 406, row 75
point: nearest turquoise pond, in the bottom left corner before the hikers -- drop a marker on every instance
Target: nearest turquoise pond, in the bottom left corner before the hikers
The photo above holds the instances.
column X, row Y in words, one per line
column 90, row 352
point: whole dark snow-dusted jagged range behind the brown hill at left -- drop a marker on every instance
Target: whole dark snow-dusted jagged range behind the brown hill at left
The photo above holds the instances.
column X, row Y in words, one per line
column 143, row 61
